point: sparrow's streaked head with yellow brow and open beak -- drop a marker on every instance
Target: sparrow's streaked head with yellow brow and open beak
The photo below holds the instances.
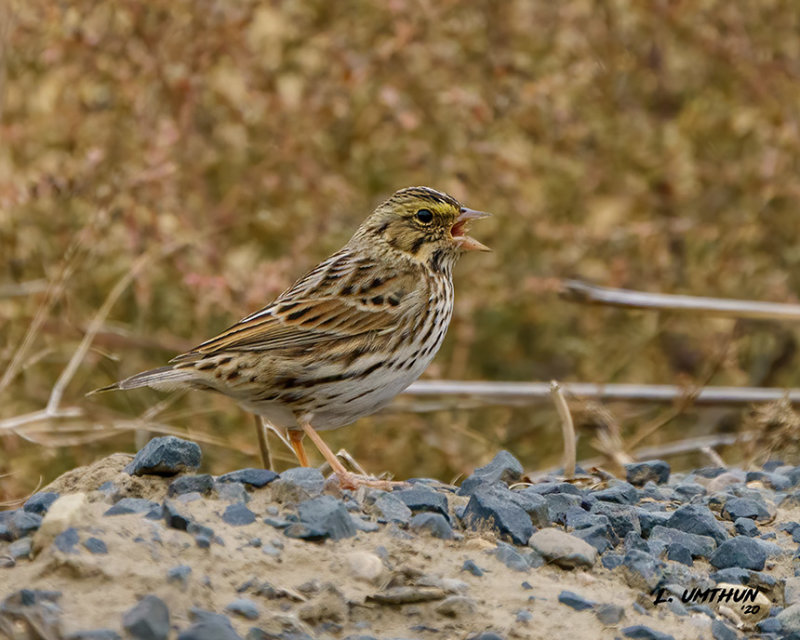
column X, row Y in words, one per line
column 428, row 225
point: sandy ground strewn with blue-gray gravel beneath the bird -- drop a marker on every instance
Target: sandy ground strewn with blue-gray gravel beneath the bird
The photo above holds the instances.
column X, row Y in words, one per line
column 147, row 548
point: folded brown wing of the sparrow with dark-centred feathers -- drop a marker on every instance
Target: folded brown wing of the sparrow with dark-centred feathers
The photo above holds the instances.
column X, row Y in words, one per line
column 317, row 312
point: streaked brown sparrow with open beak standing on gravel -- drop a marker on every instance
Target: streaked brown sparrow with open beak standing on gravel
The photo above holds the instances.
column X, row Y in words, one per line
column 344, row 339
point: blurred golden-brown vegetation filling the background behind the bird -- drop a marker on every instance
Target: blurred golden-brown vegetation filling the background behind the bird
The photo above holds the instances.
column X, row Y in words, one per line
column 183, row 161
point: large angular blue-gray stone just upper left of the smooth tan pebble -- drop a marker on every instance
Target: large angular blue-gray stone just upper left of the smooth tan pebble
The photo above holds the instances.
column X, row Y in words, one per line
column 494, row 506
